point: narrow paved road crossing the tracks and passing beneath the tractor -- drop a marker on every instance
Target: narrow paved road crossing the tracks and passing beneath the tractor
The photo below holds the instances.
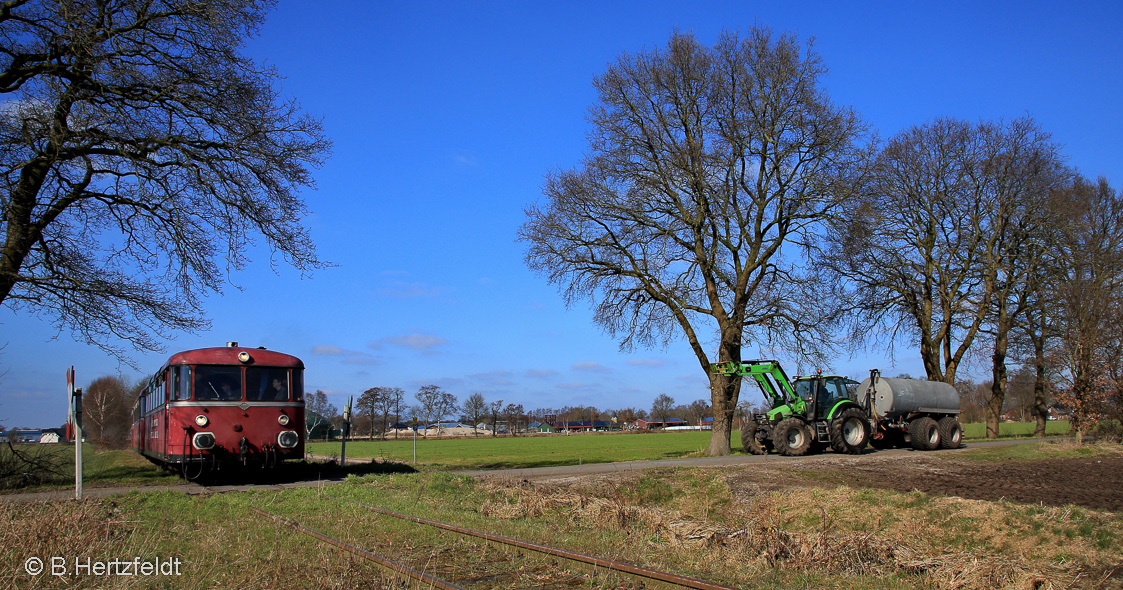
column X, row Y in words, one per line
column 561, row 471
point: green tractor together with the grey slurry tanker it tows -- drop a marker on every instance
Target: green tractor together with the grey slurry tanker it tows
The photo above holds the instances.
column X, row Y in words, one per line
column 809, row 414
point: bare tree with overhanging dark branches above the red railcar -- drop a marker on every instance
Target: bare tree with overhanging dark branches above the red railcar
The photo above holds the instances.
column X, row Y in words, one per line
column 142, row 158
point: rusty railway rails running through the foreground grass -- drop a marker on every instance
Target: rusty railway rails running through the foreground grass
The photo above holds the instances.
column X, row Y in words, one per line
column 664, row 579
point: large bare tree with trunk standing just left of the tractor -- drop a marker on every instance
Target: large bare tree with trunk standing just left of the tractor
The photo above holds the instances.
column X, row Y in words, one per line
column 705, row 164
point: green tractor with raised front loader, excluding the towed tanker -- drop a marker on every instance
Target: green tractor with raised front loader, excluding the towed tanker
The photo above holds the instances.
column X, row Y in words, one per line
column 807, row 415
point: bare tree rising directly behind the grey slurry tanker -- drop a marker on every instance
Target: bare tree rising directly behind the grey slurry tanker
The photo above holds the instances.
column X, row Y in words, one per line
column 911, row 249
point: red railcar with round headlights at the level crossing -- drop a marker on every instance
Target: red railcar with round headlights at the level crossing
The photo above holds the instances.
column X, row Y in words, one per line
column 226, row 406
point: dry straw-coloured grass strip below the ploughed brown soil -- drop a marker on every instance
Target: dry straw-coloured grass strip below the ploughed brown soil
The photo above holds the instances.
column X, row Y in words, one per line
column 942, row 543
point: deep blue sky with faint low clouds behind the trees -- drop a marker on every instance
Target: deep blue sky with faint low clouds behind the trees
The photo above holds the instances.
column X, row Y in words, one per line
column 446, row 119
